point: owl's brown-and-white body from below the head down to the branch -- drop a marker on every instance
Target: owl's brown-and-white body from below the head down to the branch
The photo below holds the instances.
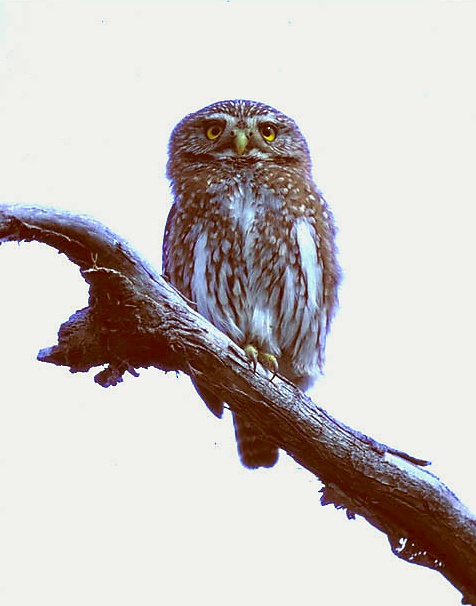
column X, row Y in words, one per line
column 248, row 253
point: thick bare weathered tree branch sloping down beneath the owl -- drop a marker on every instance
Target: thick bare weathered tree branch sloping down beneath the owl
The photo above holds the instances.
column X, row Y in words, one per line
column 136, row 319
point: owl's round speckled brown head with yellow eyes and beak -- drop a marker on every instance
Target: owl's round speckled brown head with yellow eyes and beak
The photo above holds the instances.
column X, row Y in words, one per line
column 239, row 131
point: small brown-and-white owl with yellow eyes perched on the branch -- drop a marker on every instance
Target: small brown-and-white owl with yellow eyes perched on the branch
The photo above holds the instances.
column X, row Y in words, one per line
column 251, row 241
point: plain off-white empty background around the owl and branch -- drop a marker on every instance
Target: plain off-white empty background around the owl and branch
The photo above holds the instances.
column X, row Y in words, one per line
column 134, row 495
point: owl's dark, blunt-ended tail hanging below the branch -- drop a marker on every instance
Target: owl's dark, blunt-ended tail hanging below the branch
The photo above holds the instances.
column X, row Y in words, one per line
column 253, row 447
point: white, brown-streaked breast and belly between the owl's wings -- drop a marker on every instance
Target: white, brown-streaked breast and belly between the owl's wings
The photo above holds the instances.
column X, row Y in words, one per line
column 256, row 274
